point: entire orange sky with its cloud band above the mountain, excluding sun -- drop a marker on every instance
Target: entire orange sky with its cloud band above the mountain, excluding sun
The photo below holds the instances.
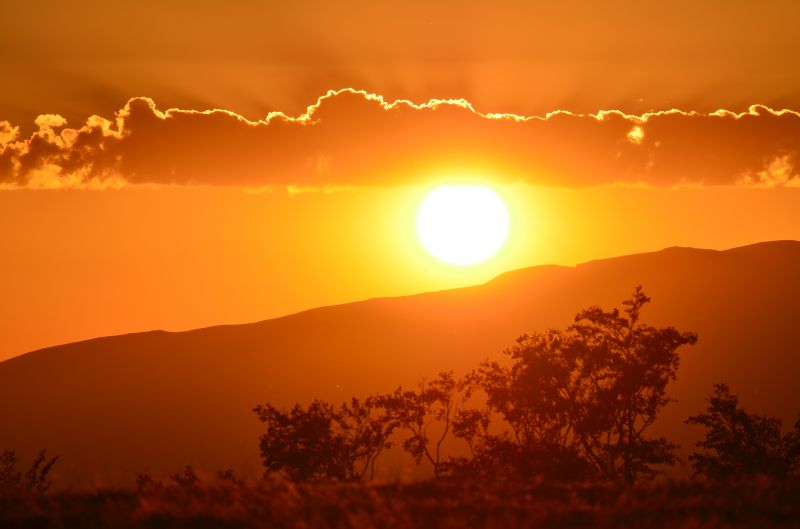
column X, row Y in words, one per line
column 200, row 163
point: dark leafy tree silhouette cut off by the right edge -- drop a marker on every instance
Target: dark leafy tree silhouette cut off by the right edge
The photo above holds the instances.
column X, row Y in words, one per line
column 740, row 444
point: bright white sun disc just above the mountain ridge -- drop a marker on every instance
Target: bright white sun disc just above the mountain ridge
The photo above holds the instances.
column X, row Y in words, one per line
column 462, row 224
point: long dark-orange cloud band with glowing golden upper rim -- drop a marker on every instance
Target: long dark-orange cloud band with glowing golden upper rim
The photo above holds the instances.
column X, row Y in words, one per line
column 353, row 138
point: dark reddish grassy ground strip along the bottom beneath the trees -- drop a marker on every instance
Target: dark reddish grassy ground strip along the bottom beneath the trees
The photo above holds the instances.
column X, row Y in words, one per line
column 429, row 505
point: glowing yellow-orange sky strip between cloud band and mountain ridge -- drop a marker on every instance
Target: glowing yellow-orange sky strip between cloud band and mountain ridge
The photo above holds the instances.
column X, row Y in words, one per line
column 87, row 263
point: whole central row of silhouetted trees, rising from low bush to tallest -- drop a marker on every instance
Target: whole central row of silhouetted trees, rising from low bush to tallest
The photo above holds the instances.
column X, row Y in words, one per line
column 574, row 403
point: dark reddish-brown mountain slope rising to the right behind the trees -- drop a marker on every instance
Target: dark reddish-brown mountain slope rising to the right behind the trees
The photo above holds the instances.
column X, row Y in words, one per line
column 151, row 402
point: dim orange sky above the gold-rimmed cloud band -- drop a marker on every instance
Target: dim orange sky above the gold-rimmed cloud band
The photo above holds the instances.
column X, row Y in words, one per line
column 82, row 57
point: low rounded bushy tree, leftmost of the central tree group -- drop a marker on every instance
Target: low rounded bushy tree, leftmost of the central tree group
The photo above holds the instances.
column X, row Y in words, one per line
column 321, row 442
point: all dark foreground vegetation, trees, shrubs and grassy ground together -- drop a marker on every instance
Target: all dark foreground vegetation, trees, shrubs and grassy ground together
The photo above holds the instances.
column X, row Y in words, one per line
column 557, row 436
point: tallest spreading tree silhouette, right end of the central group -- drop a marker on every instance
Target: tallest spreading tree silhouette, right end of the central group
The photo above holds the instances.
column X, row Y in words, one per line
column 587, row 395
